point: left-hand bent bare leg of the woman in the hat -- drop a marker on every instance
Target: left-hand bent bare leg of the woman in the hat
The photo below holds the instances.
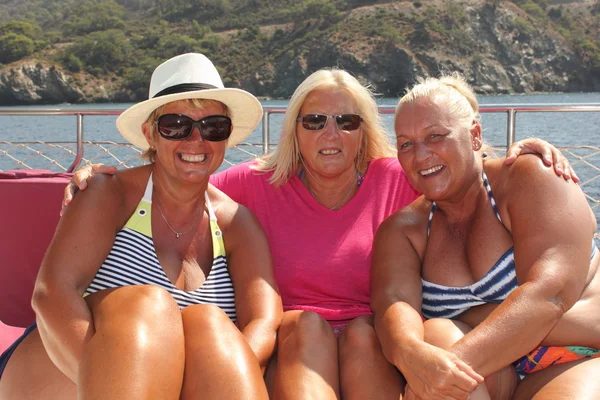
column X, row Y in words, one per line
column 116, row 363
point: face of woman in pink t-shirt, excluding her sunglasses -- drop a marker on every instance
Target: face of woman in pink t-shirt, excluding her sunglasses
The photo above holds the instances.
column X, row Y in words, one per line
column 329, row 152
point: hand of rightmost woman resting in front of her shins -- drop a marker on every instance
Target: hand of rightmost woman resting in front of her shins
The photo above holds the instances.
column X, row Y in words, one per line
column 434, row 373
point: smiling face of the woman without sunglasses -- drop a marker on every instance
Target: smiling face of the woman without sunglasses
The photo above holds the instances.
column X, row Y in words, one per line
column 436, row 150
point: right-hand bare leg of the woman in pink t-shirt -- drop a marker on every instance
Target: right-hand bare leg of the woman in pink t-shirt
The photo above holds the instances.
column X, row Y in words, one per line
column 364, row 371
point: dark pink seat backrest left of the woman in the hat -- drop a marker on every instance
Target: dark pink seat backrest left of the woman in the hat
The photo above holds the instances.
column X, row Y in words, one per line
column 30, row 202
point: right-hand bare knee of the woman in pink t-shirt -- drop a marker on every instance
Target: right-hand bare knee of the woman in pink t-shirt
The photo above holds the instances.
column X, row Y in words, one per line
column 358, row 337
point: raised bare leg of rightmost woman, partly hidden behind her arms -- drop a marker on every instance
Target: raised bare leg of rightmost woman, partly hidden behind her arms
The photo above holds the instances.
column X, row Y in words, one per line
column 444, row 333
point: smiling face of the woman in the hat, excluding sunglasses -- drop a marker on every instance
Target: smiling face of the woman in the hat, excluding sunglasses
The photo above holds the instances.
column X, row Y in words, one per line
column 193, row 159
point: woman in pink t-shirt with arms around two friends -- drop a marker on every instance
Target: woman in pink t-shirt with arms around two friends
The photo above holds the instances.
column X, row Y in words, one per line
column 320, row 197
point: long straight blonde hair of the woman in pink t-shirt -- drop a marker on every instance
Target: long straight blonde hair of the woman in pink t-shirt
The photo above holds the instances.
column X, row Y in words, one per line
column 285, row 160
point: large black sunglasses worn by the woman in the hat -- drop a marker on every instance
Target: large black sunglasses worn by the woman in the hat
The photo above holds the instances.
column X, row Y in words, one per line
column 214, row 128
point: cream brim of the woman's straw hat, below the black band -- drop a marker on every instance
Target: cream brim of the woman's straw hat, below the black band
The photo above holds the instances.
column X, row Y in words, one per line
column 245, row 112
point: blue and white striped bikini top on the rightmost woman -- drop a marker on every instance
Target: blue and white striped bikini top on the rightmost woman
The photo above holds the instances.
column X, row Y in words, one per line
column 448, row 302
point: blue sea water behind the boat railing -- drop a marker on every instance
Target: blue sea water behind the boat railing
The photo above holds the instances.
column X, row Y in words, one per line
column 561, row 128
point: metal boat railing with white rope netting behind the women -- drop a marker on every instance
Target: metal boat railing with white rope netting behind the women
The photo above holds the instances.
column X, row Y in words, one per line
column 67, row 156
